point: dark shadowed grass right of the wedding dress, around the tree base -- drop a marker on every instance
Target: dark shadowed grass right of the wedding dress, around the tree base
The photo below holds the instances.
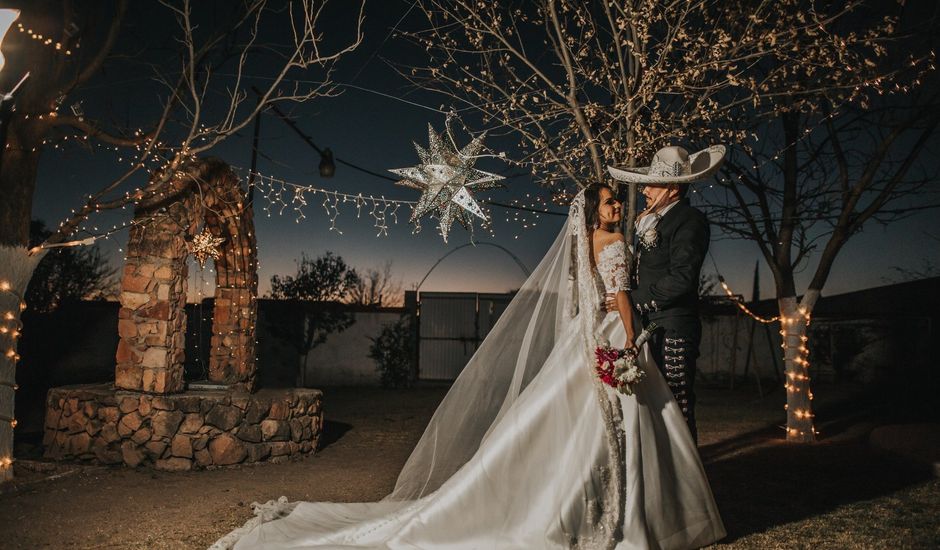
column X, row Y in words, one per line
column 835, row 493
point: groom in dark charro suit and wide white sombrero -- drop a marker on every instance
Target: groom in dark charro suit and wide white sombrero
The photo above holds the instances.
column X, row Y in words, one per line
column 672, row 240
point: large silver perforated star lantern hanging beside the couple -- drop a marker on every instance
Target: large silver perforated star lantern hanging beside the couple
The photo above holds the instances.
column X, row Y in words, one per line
column 444, row 178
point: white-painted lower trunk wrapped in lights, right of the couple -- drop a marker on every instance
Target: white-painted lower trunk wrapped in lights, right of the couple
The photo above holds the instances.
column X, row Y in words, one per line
column 794, row 321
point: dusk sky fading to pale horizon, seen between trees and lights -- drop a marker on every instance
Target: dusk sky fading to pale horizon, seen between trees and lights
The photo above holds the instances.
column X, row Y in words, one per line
column 376, row 132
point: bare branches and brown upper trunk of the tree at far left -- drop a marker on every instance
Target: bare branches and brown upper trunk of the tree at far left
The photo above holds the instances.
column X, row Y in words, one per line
column 210, row 64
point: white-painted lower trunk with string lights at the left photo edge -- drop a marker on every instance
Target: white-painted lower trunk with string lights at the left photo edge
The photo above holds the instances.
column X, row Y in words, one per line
column 16, row 268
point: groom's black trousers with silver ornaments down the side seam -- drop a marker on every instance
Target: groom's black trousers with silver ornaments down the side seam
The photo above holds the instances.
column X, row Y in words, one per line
column 675, row 347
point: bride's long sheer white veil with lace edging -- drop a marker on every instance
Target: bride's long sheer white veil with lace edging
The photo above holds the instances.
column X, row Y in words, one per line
column 544, row 311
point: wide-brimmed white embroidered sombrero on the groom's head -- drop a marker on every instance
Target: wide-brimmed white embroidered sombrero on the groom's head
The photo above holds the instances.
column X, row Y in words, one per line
column 673, row 164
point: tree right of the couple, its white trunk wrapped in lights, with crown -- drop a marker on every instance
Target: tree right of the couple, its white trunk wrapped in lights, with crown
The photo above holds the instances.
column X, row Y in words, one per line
column 802, row 184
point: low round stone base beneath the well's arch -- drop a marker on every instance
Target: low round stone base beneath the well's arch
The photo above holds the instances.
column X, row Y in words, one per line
column 185, row 431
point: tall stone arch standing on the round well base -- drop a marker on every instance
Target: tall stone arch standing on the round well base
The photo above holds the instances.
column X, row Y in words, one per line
column 152, row 318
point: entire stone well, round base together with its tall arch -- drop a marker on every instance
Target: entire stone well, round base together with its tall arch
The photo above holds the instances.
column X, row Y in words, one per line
column 147, row 416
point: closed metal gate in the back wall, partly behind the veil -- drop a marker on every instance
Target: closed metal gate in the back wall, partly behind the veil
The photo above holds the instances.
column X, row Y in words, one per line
column 451, row 326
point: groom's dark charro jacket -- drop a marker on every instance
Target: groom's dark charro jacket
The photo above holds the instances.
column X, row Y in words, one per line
column 666, row 276
